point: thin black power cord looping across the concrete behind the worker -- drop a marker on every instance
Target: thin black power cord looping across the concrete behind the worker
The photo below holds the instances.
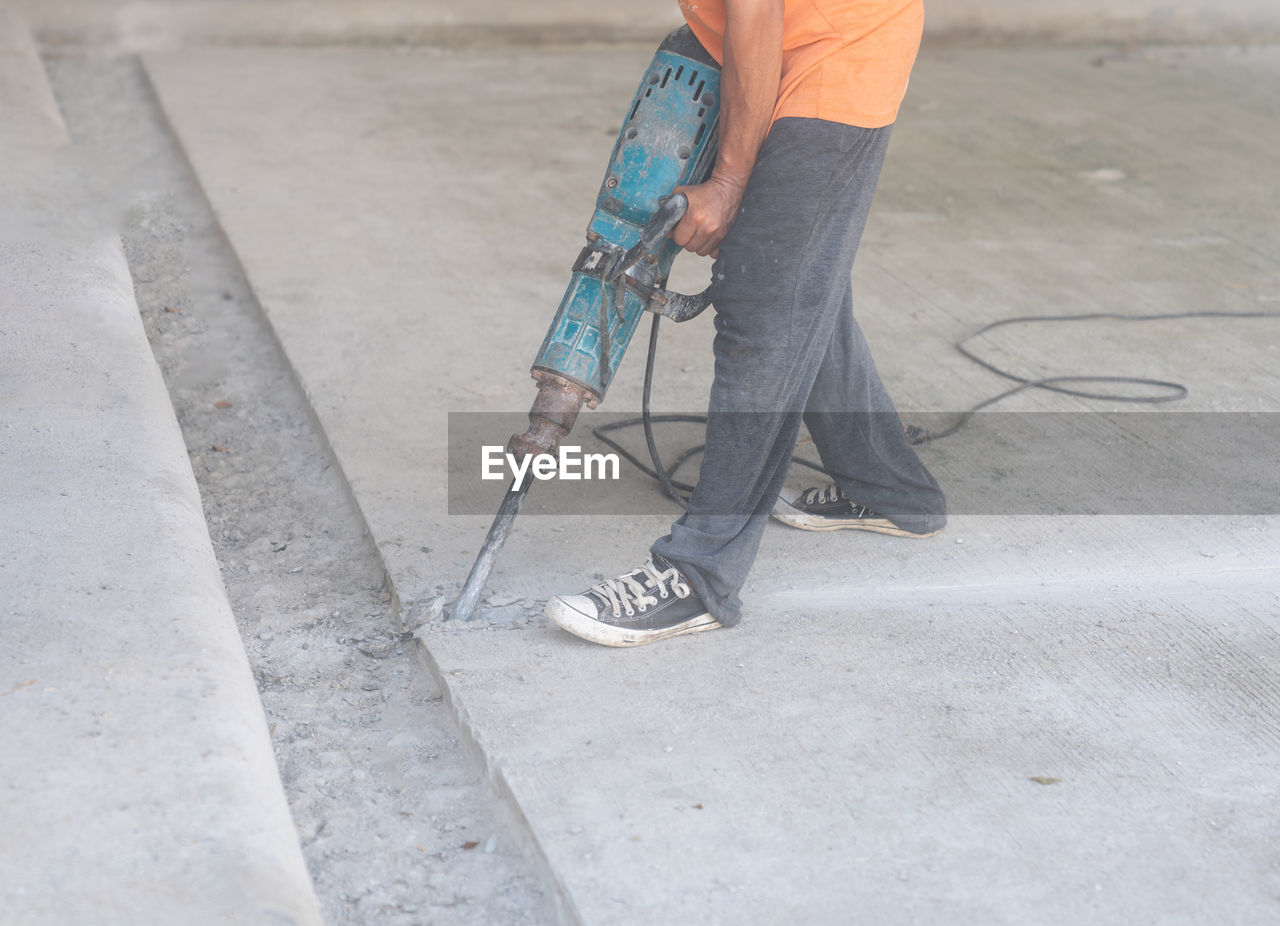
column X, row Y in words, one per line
column 678, row 491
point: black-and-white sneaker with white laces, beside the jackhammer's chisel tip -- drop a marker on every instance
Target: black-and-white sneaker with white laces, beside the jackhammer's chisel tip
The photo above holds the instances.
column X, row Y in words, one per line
column 648, row 604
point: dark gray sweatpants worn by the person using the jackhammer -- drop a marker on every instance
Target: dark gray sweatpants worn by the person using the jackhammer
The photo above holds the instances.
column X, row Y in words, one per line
column 788, row 349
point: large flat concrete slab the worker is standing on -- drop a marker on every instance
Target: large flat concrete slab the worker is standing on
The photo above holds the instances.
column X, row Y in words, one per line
column 1052, row 719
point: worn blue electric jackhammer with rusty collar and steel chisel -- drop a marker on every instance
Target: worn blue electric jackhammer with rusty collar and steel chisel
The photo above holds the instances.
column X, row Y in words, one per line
column 668, row 140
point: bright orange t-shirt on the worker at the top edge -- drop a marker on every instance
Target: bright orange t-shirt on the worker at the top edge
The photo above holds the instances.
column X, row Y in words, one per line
column 843, row 61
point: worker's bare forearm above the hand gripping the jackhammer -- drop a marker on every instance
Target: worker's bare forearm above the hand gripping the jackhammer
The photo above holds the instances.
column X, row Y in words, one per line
column 749, row 85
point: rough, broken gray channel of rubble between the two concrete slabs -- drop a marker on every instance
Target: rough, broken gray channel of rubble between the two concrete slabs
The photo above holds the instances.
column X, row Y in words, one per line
column 395, row 823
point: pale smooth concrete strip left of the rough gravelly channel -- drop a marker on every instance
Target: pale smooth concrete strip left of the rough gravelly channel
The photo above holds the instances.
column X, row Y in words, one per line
column 139, row 779
